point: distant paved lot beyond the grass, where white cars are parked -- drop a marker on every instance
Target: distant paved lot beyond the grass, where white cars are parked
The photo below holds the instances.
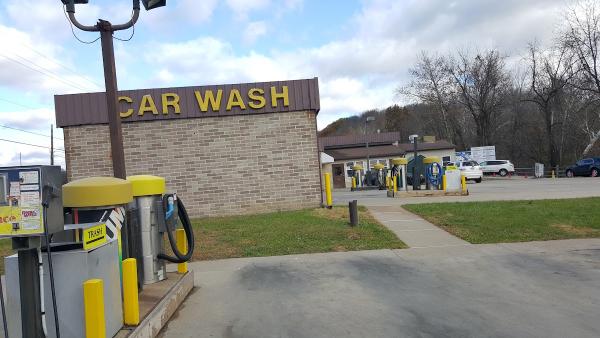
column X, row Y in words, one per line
column 491, row 189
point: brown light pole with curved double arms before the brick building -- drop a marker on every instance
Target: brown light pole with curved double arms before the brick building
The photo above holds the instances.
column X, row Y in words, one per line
column 106, row 30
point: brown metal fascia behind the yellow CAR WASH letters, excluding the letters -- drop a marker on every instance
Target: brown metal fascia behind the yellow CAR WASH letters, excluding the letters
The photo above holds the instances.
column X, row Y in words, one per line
column 90, row 108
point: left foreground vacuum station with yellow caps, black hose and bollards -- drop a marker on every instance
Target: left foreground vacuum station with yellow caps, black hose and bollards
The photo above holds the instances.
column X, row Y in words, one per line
column 80, row 247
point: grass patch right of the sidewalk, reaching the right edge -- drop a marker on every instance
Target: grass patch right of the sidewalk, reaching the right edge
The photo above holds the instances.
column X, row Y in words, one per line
column 515, row 221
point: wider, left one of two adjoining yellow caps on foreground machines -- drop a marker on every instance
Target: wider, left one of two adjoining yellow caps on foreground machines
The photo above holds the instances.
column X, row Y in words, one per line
column 97, row 192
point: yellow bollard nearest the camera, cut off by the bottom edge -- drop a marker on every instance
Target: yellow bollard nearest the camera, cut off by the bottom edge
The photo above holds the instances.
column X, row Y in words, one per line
column 93, row 306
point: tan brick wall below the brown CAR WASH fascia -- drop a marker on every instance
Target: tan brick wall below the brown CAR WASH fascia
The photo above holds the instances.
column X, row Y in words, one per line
column 219, row 166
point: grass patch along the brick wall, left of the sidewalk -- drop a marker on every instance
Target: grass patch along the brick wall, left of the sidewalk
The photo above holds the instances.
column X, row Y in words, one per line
column 289, row 232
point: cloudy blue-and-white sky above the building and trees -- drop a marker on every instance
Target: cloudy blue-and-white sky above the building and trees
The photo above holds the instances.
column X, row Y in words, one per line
column 360, row 50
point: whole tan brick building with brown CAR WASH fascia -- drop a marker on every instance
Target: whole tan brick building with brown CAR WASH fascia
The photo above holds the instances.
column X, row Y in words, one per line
column 226, row 149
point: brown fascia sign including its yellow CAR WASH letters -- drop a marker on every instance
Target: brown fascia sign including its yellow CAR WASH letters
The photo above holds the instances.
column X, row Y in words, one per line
column 191, row 102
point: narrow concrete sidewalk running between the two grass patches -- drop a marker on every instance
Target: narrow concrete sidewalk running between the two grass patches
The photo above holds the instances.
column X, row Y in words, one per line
column 412, row 229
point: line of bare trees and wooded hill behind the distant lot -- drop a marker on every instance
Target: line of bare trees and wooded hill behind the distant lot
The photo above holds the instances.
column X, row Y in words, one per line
column 541, row 107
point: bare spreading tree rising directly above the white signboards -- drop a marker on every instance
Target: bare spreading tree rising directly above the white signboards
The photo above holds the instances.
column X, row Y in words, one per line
column 482, row 84
